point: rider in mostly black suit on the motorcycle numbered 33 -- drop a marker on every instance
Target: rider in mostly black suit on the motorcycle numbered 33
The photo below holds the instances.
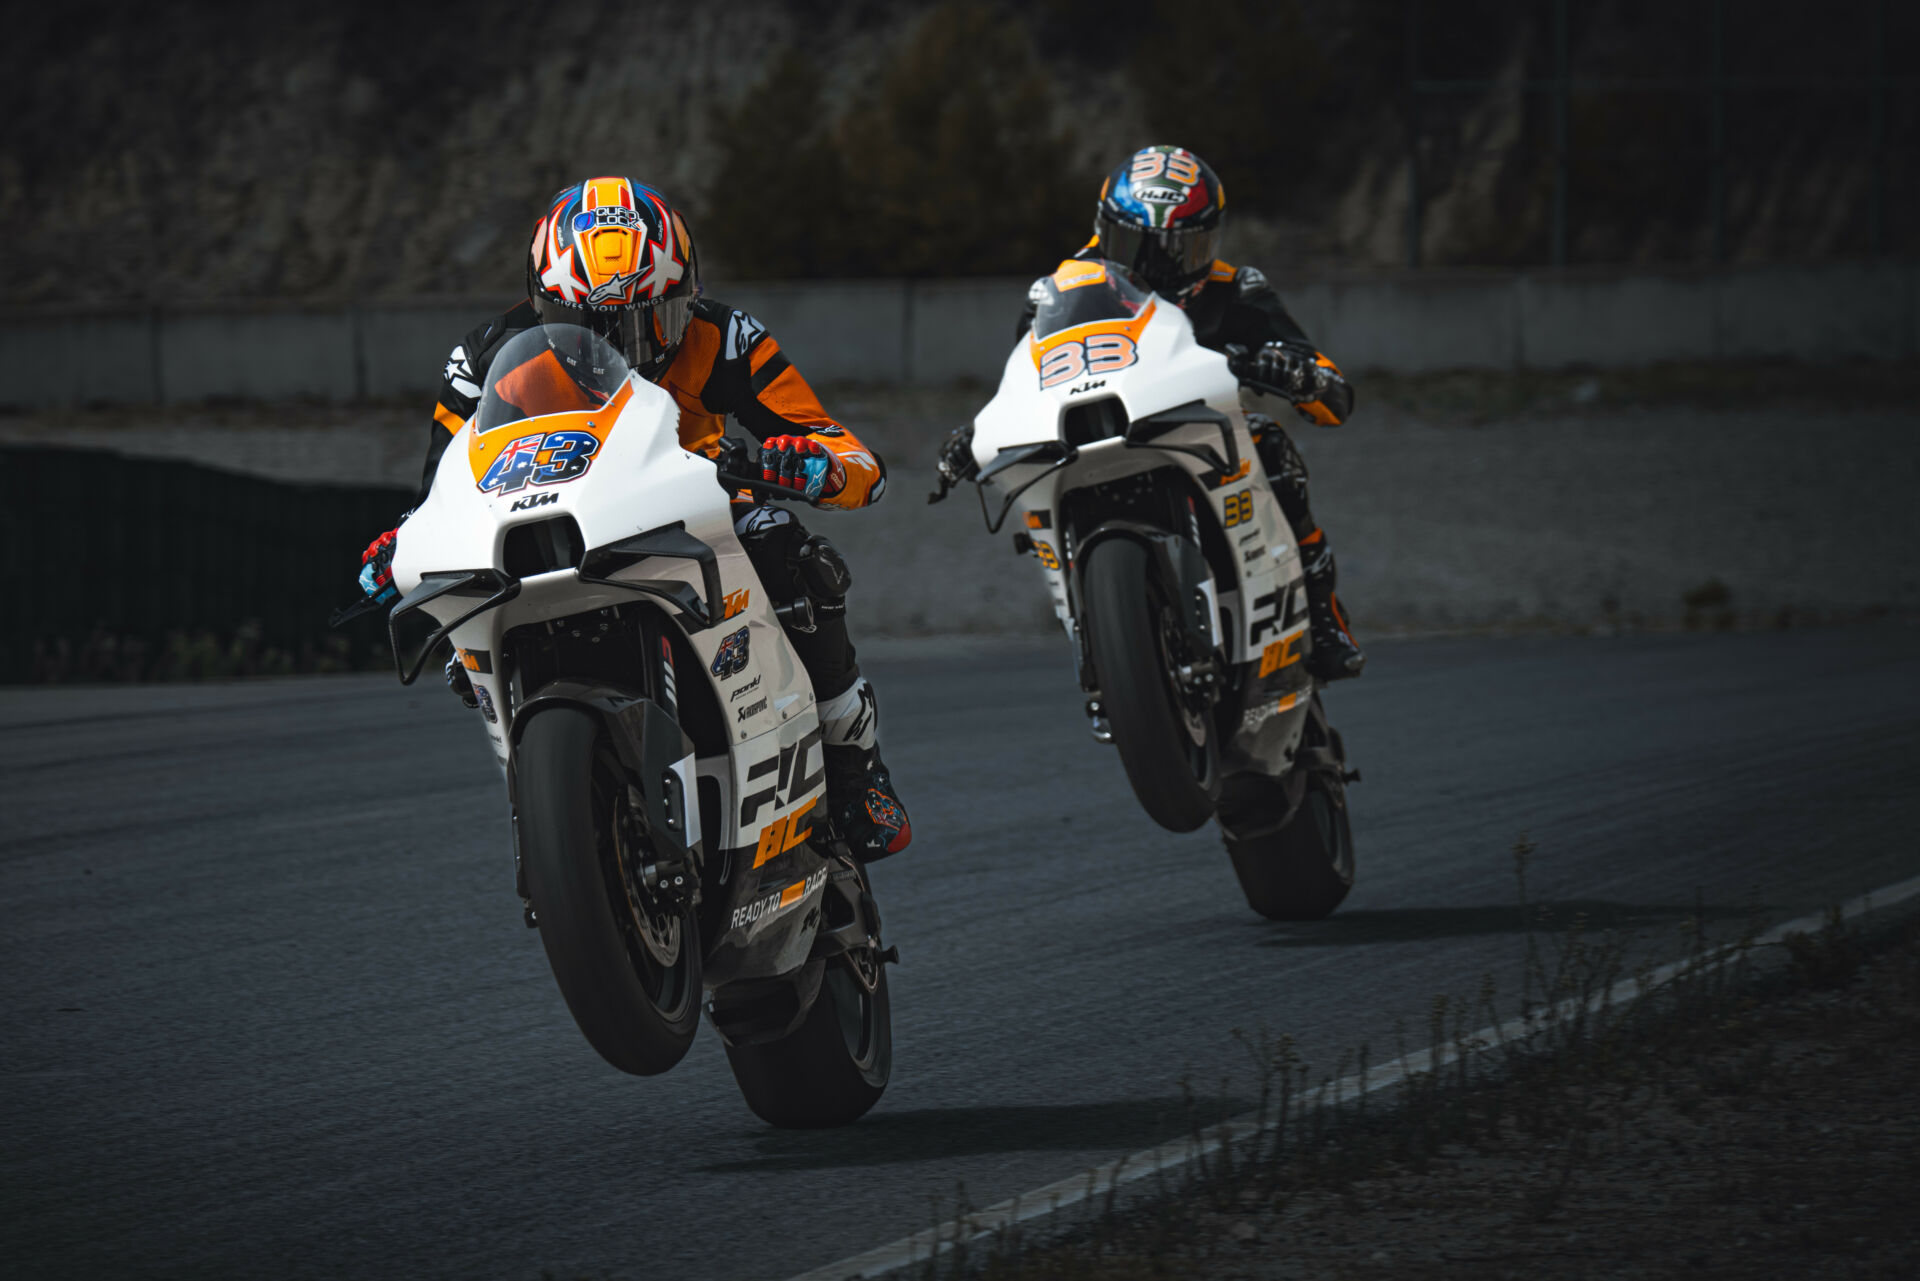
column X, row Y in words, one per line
column 1161, row 216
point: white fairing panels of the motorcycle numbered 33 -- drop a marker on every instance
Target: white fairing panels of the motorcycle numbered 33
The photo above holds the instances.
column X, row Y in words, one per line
column 1266, row 596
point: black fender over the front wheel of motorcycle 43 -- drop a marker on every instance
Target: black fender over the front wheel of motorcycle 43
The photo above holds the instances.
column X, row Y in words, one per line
column 652, row 746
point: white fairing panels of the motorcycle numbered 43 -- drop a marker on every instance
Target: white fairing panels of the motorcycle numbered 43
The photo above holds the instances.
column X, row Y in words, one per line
column 640, row 479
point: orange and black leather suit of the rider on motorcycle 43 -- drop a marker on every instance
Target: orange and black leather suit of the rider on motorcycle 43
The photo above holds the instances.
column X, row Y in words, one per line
column 727, row 366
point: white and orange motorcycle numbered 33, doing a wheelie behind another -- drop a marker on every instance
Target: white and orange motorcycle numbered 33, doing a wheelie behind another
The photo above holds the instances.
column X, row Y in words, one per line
column 1124, row 448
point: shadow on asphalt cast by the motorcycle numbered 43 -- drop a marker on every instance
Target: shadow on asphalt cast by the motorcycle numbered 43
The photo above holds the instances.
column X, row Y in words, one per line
column 942, row 1134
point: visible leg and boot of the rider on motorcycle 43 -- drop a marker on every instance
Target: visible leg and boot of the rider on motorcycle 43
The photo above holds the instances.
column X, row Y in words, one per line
column 861, row 794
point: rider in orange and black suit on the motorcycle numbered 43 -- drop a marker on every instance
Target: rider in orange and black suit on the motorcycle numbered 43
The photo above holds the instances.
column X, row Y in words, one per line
column 613, row 256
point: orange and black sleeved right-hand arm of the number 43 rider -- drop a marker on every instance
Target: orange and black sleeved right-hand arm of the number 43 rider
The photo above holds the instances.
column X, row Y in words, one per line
column 763, row 391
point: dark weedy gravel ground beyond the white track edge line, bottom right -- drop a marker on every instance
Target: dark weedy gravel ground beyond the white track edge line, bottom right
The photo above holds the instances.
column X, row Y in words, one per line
column 1779, row 1140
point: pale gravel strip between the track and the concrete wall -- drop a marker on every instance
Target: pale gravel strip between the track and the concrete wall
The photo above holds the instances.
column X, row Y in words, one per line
column 1558, row 510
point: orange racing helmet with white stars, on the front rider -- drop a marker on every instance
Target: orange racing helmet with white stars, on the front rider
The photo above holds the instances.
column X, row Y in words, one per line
column 613, row 258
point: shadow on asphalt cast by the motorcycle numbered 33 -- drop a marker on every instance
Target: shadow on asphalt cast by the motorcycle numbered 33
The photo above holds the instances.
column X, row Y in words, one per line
column 1449, row 923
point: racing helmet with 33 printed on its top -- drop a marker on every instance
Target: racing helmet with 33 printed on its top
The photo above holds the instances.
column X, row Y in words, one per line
column 1161, row 214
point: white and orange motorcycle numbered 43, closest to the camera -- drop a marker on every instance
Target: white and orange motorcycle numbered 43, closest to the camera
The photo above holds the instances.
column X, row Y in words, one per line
column 658, row 733
